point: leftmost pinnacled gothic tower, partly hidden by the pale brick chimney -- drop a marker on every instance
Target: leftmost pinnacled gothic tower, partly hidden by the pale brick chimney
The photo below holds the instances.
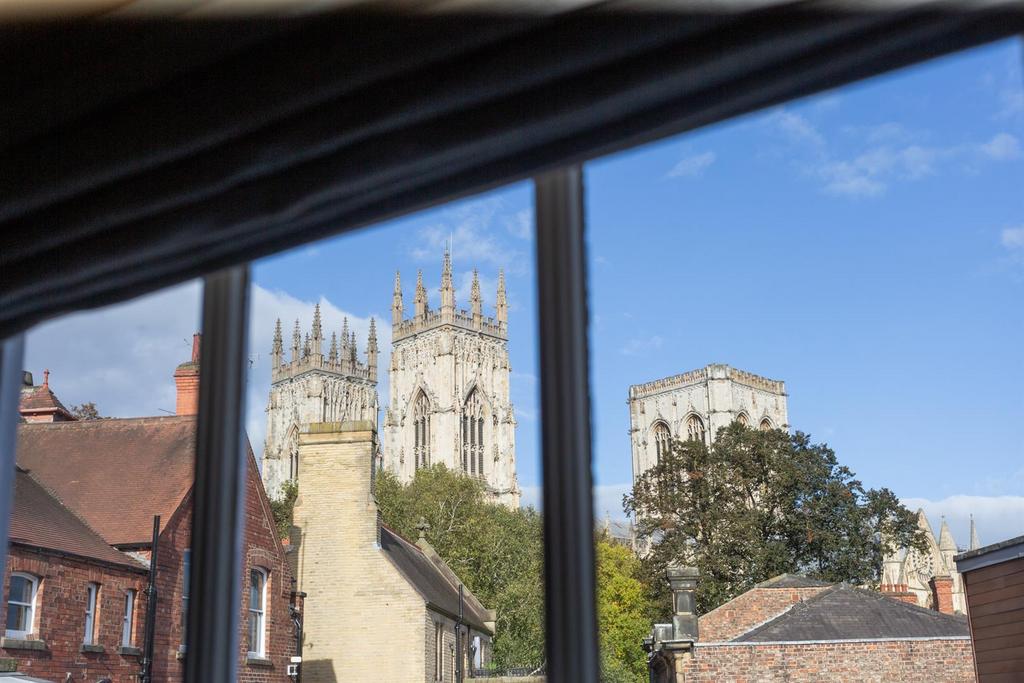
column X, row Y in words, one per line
column 313, row 388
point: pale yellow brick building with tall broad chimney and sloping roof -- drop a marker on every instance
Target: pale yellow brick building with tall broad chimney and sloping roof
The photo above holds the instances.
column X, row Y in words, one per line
column 379, row 608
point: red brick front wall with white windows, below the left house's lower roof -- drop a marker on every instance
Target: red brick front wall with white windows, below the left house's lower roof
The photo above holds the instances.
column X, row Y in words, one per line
column 60, row 618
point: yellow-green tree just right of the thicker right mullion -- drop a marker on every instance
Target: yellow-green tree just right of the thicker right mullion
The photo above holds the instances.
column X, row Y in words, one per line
column 625, row 614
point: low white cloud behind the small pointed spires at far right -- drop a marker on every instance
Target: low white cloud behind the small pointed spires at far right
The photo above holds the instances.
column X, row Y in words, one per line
column 997, row 518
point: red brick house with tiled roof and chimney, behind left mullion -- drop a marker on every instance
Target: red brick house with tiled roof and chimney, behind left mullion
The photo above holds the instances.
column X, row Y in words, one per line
column 111, row 478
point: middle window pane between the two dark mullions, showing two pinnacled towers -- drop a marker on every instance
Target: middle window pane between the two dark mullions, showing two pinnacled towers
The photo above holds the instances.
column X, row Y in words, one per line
column 421, row 387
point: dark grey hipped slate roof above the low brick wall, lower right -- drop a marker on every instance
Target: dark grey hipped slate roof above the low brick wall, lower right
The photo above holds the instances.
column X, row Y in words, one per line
column 845, row 613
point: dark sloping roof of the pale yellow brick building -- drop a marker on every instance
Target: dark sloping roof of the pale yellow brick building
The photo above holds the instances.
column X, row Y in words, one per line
column 433, row 579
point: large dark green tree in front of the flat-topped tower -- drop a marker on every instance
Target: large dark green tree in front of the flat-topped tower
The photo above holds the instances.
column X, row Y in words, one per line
column 760, row 503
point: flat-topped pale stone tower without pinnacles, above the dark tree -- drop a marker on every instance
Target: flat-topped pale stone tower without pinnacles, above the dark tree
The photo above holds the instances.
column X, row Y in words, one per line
column 697, row 405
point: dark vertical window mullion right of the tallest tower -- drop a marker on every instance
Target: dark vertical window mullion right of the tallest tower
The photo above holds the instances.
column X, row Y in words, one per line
column 569, row 520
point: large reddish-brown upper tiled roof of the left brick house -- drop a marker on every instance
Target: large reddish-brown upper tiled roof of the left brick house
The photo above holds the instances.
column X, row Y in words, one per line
column 115, row 474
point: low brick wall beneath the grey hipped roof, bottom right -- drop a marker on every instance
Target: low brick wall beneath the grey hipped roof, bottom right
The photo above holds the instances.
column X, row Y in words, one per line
column 941, row 661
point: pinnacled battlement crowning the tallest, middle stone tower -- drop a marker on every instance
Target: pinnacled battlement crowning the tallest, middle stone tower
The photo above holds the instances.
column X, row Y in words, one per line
column 472, row 320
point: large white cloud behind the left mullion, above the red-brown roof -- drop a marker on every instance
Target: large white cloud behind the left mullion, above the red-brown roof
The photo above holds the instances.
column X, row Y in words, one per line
column 123, row 358
